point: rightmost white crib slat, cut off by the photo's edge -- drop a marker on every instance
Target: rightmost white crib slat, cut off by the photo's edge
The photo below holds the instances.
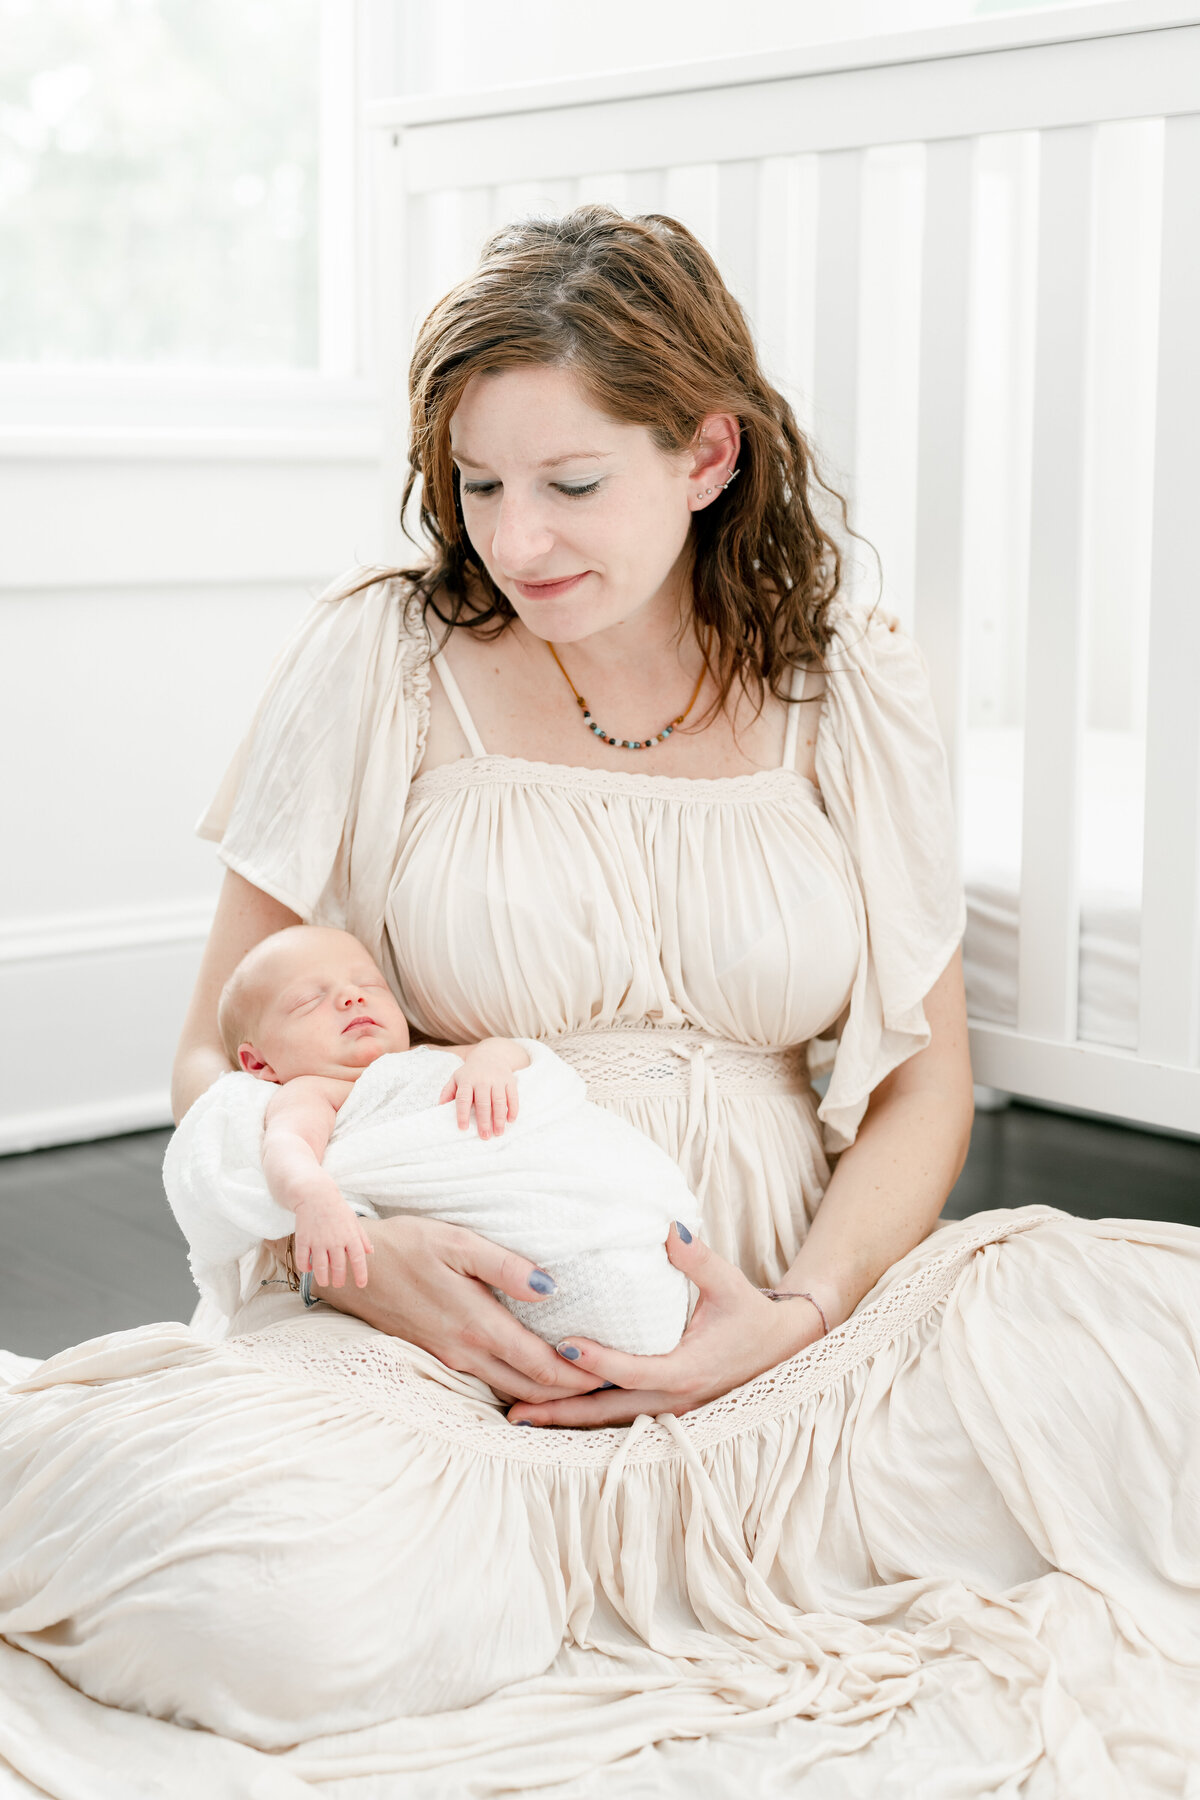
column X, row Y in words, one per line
column 1170, row 937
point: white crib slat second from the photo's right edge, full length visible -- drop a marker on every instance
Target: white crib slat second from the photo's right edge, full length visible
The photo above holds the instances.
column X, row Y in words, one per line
column 1055, row 663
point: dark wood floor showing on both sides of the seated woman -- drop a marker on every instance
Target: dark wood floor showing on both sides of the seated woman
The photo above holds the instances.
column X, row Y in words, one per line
column 93, row 1248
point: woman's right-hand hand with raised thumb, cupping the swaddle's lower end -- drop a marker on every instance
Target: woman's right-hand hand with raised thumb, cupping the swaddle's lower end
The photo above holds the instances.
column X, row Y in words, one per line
column 733, row 1336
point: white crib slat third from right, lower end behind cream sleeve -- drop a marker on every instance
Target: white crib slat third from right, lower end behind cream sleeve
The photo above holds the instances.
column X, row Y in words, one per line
column 942, row 438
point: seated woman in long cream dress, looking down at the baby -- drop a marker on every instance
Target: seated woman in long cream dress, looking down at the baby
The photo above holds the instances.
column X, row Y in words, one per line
column 659, row 796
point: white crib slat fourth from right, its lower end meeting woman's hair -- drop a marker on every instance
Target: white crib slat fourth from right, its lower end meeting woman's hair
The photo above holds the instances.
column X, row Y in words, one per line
column 836, row 334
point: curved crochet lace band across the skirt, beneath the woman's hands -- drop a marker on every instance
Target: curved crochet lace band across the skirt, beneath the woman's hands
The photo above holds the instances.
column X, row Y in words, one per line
column 375, row 1374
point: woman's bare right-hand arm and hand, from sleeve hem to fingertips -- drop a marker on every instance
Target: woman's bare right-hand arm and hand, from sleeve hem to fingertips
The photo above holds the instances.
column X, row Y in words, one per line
column 882, row 1200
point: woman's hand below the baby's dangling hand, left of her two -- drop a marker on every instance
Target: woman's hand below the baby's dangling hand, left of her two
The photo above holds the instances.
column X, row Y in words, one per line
column 431, row 1286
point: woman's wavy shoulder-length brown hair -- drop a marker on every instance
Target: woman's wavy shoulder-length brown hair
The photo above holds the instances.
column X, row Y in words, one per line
column 638, row 310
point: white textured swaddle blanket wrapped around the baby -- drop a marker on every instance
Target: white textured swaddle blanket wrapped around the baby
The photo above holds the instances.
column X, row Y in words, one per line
column 575, row 1189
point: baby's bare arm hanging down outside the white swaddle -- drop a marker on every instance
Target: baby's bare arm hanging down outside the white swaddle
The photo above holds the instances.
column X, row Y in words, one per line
column 328, row 1234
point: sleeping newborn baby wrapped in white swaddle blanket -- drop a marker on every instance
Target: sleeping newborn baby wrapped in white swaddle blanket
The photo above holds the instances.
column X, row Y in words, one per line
column 334, row 1119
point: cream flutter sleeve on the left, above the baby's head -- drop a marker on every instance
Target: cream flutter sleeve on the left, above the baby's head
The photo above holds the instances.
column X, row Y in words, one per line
column 312, row 805
